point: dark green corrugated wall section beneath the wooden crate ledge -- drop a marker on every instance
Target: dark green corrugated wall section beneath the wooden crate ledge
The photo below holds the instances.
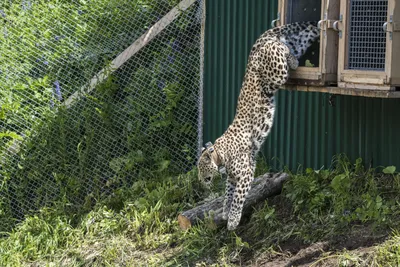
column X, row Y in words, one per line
column 309, row 131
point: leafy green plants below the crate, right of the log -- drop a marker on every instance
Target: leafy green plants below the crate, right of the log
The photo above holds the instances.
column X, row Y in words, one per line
column 348, row 193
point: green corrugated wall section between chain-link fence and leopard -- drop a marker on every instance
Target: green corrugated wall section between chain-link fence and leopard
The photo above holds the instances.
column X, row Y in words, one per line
column 231, row 29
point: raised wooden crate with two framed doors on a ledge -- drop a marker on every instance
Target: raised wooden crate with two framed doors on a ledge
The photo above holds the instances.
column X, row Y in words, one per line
column 359, row 47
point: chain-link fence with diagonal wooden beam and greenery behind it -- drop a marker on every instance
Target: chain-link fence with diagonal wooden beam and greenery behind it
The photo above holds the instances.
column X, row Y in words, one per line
column 95, row 94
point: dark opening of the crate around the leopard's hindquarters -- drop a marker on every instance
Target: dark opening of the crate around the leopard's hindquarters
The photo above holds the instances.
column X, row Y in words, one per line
column 305, row 10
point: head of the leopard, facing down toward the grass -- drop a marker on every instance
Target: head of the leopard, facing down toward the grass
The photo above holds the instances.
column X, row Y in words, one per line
column 208, row 165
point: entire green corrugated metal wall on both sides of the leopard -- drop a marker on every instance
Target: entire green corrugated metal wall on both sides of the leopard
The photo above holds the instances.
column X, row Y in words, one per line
column 307, row 130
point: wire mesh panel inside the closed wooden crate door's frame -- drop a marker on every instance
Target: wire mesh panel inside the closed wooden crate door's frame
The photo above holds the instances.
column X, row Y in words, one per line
column 367, row 39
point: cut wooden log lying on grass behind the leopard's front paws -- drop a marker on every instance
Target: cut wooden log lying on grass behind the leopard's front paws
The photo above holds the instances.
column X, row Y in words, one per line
column 264, row 186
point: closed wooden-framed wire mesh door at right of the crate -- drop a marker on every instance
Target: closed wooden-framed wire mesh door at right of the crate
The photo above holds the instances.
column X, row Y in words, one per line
column 367, row 44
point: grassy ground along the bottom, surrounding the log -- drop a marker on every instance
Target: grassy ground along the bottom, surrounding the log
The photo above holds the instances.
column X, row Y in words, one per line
column 356, row 220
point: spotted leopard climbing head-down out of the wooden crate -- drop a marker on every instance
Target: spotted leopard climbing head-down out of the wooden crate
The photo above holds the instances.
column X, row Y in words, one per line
column 234, row 153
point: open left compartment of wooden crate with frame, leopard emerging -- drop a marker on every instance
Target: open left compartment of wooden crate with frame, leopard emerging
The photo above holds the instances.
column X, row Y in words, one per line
column 319, row 65
